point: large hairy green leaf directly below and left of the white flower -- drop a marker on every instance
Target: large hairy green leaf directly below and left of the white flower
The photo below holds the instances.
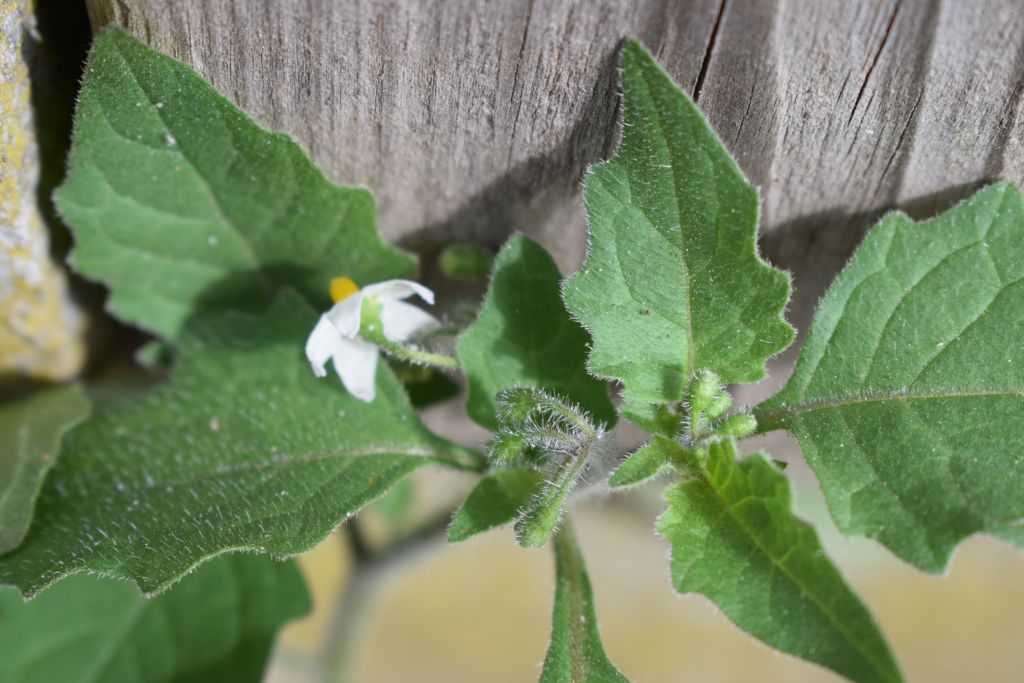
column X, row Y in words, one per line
column 242, row 449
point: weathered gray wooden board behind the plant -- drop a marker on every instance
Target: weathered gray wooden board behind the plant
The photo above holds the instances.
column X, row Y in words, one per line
column 470, row 120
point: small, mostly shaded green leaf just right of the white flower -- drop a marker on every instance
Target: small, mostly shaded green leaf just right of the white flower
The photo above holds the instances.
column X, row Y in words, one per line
column 525, row 337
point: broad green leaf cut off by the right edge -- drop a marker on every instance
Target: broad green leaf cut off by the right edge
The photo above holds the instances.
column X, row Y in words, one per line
column 909, row 396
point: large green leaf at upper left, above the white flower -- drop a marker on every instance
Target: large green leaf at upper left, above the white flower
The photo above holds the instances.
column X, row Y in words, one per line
column 178, row 200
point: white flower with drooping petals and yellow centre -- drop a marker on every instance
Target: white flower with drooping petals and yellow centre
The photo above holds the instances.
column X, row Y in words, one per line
column 336, row 335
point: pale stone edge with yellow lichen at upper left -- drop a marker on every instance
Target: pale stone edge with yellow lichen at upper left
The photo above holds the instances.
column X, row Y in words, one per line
column 40, row 329
